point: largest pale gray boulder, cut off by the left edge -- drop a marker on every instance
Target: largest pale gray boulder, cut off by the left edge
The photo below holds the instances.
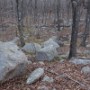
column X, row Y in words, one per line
column 13, row 61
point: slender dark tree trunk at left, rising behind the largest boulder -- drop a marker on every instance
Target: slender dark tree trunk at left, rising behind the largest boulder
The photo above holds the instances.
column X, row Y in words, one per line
column 20, row 20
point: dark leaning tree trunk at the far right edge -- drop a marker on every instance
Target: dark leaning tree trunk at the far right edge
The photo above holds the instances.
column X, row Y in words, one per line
column 87, row 27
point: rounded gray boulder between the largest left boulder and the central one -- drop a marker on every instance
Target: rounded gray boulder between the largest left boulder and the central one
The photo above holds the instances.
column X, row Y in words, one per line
column 31, row 47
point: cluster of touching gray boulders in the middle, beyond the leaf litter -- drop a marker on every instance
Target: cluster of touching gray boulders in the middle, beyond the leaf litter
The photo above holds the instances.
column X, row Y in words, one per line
column 46, row 51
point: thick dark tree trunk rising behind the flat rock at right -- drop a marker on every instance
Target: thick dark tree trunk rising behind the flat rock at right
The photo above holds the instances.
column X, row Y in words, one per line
column 75, row 27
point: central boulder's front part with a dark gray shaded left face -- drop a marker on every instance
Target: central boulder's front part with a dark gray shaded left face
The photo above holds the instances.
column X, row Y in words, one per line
column 47, row 53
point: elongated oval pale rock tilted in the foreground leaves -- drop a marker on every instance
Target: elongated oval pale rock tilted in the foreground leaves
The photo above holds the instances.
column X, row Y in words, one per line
column 35, row 75
